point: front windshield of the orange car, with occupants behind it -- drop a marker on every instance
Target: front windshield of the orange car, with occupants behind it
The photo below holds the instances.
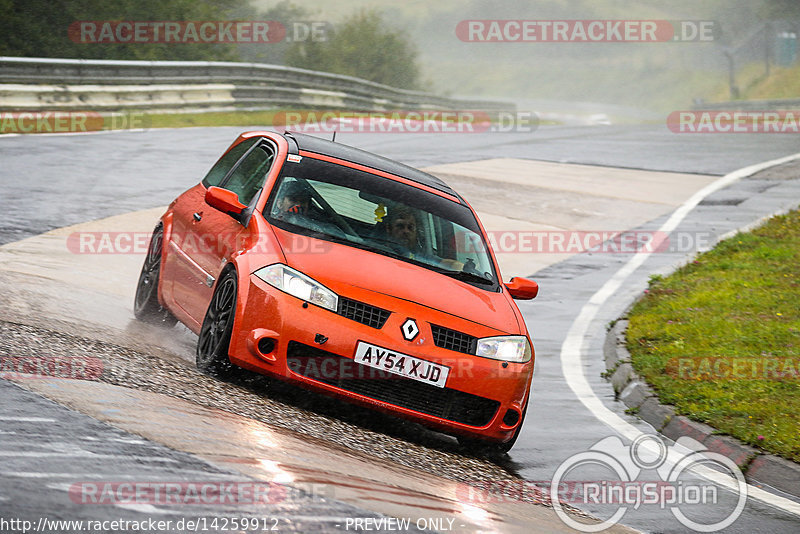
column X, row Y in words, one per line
column 338, row 203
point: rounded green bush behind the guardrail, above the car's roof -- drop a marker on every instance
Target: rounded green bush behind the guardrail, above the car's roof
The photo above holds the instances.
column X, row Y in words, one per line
column 364, row 47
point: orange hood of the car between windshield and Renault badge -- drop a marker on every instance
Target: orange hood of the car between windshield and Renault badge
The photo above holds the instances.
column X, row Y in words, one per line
column 337, row 266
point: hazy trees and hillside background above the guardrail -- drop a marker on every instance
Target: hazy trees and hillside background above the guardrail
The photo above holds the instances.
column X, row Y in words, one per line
column 413, row 44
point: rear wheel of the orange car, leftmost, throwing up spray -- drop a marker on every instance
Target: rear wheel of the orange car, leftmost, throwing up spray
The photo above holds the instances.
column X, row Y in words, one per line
column 146, row 307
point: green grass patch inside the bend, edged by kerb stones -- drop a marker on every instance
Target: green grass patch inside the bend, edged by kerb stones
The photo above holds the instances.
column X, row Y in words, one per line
column 720, row 338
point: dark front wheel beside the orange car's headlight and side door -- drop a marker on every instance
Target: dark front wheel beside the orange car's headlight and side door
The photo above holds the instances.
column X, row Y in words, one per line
column 215, row 334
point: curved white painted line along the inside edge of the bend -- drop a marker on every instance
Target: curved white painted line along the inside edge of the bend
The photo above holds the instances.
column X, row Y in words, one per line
column 574, row 345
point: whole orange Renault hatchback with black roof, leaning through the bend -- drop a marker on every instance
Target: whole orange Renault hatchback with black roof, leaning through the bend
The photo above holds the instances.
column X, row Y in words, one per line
column 349, row 274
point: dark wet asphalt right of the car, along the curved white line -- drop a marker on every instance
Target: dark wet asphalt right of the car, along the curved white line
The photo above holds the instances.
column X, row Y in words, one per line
column 559, row 426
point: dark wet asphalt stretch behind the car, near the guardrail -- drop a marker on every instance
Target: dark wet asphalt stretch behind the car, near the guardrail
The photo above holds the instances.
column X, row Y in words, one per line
column 47, row 181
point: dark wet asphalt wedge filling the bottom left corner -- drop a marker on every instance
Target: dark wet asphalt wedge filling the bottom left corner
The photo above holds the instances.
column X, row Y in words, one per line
column 78, row 456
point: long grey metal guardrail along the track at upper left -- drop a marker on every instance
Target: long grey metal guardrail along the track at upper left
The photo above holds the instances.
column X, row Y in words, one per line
column 49, row 84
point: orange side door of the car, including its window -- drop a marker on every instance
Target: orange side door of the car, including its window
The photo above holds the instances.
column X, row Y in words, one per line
column 205, row 237
